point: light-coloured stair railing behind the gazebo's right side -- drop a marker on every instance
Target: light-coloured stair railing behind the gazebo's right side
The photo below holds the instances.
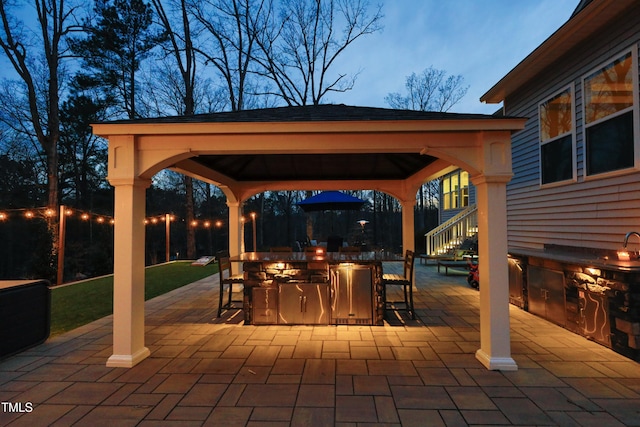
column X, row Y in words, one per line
column 450, row 234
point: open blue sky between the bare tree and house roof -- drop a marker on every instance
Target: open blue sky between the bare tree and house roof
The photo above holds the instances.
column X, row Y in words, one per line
column 480, row 39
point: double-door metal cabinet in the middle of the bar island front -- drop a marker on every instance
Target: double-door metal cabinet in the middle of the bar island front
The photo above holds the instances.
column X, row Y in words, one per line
column 303, row 303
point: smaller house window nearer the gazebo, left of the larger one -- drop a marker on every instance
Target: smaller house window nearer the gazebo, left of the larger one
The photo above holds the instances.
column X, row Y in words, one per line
column 556, row 138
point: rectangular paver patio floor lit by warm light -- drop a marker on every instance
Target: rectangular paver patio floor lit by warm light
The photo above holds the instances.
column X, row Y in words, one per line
column 205, row 371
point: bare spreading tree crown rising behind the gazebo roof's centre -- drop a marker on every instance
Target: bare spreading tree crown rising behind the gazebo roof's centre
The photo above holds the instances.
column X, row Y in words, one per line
column 300, row 48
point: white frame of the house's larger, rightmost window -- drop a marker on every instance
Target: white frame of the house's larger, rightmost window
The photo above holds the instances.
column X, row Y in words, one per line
column 636, row 115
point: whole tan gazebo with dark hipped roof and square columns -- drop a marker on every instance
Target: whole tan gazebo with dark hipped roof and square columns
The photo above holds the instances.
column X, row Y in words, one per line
column 320, row 147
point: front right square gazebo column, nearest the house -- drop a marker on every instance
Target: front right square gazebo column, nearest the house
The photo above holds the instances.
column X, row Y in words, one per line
column 495, row 337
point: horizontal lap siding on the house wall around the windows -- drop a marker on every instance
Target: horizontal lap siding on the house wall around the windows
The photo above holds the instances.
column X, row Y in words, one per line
column 595, row 212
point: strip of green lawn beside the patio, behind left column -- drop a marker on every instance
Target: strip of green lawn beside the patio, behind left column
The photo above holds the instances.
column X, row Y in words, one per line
column 78, row 304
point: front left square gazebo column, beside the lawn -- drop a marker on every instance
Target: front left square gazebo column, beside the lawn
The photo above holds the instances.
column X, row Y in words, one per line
column 128, row 272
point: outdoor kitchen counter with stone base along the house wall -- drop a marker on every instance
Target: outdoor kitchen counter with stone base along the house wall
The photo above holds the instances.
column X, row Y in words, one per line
column 588, row 291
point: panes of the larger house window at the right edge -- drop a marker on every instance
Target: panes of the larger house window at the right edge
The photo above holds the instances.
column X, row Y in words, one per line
column 608, row 114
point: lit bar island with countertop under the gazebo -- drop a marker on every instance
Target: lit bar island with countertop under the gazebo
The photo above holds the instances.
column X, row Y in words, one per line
column 328, row 288
